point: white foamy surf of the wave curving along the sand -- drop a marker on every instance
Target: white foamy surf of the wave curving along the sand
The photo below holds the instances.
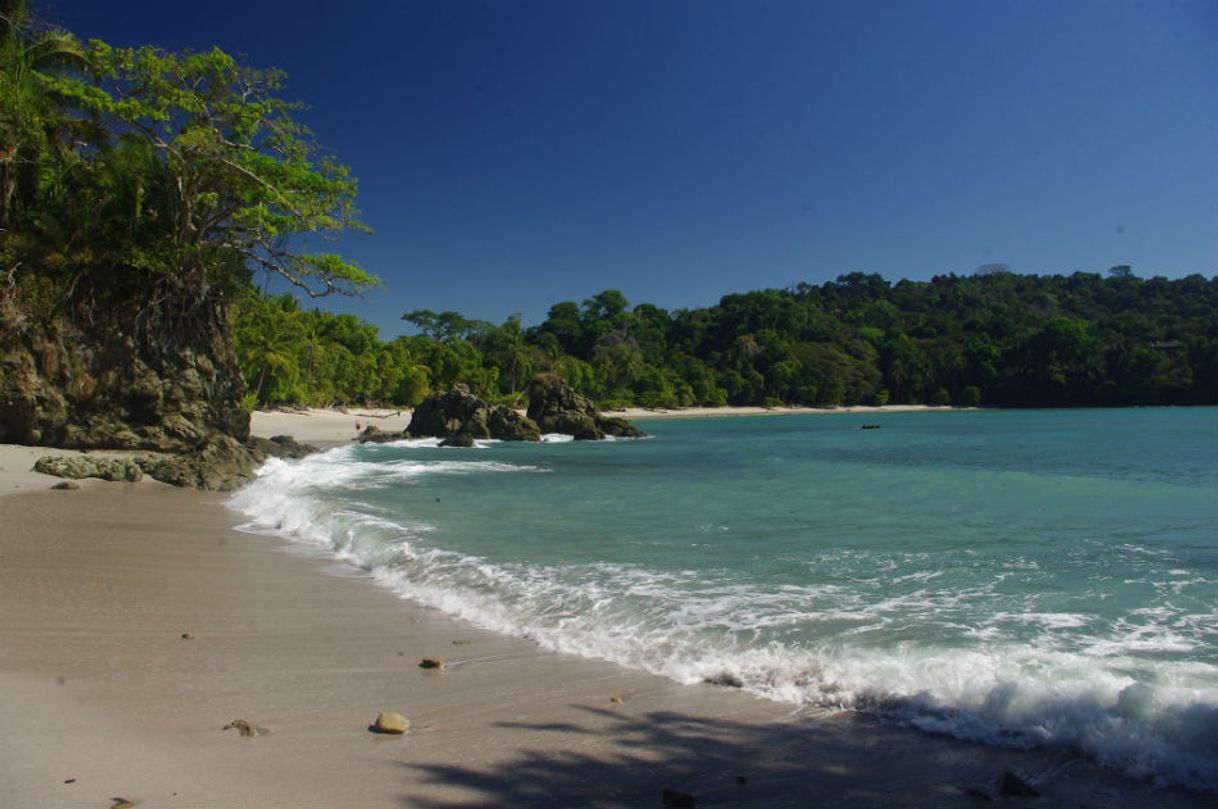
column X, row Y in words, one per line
column 690, row 628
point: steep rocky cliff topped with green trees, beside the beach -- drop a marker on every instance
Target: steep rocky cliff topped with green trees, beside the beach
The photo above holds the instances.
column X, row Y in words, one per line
column 142, row 191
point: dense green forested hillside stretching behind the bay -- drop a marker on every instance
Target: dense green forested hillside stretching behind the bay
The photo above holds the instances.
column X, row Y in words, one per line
column 991, row 339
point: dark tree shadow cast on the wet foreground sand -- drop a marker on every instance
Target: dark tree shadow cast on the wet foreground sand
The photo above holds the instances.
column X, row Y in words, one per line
column 617, row 760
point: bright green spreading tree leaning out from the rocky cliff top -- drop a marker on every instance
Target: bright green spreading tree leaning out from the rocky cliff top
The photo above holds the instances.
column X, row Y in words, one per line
column 238, row 180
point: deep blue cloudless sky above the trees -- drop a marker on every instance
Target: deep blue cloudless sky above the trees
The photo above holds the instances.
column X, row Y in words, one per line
column 517, row 154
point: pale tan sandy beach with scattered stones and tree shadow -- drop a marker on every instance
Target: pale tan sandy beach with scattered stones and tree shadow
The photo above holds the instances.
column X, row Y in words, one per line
column 137, row 623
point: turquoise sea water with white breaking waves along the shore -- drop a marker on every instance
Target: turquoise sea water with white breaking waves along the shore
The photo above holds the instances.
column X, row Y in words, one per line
column 1018, row 578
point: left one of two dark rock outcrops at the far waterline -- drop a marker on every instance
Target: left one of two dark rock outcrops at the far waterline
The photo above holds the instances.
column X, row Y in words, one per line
column 459, row 415
